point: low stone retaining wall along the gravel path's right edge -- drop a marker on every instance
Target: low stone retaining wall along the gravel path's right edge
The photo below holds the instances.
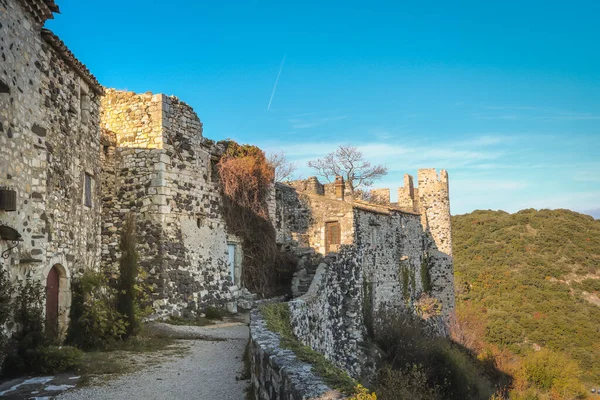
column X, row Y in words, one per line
column 276, row 373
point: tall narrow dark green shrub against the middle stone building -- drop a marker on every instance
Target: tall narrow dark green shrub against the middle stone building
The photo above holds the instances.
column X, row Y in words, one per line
column 127, row 303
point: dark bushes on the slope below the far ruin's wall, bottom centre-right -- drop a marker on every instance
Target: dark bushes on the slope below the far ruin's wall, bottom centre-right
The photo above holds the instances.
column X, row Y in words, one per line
column 419, row 366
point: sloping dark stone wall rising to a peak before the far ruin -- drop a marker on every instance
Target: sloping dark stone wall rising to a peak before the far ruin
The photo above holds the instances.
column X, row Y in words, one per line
column 329, row 317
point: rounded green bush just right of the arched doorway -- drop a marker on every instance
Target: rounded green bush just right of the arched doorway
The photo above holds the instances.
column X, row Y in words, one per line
column 95, row 321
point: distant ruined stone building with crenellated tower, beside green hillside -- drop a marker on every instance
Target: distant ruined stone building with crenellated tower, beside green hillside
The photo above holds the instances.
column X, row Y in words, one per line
column 394, row 241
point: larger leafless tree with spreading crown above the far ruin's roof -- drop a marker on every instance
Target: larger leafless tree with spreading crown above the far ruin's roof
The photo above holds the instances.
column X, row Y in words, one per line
column 348, row 162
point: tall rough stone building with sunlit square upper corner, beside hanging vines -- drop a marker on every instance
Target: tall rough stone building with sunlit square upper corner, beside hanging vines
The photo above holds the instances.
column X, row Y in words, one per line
column 161, row 169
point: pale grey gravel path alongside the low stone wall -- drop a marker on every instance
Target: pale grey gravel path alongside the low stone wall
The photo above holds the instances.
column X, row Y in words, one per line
column 208, row 371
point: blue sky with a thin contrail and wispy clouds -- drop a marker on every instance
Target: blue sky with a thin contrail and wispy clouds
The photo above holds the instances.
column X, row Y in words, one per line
column 505, row 95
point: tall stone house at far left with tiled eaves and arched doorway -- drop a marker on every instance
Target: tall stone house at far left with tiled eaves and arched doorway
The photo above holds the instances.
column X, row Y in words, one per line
column 49, row 165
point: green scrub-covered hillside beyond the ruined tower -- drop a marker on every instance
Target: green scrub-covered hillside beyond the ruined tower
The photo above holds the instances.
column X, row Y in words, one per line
column 530, row 280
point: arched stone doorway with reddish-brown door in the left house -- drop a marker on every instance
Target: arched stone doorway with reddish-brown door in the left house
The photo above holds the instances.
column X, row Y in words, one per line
column 58, row 300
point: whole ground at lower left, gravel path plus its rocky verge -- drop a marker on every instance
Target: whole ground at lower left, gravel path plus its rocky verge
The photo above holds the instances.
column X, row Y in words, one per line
column 210, row 368
